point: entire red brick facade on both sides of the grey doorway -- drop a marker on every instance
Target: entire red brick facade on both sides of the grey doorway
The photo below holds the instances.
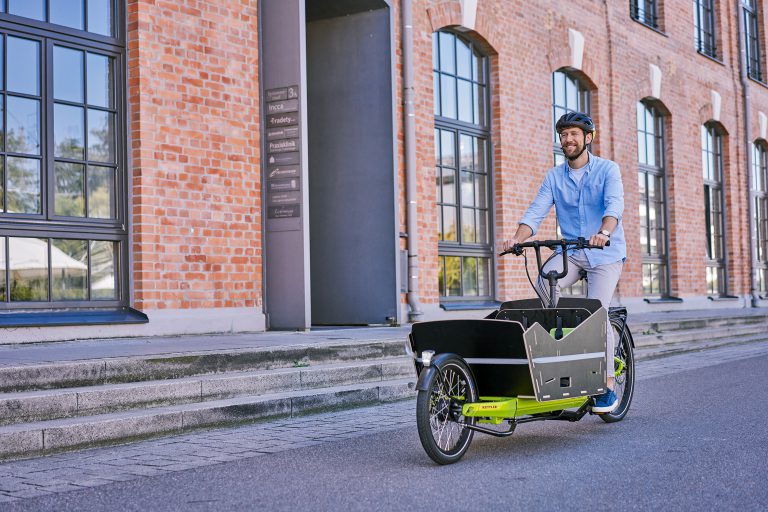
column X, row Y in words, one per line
column 193, row 98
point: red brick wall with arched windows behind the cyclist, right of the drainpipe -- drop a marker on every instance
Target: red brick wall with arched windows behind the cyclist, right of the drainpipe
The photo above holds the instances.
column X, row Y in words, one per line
column 526, row 42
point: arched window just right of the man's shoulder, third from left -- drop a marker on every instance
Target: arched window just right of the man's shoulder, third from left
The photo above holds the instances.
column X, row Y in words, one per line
column 652, row 204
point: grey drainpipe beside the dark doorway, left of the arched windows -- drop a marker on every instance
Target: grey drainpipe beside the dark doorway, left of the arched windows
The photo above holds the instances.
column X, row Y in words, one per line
column 409, row 139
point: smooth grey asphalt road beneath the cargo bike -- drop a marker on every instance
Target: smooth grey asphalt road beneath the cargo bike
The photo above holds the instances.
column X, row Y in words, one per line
column 693, row 440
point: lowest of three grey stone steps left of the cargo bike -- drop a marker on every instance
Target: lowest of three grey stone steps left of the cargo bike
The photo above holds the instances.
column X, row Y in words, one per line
column 54, row 435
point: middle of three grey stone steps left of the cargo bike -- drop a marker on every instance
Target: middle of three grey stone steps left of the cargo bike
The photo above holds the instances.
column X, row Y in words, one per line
column 39, row 405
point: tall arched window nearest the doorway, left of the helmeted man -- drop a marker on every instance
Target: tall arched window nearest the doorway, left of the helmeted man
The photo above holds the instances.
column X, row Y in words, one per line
column 462, row 168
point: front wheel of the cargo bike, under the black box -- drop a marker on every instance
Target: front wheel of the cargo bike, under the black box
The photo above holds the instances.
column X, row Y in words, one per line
column 438, row 411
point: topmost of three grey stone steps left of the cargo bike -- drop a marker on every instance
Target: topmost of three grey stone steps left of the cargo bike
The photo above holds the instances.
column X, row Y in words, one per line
column 24, row 377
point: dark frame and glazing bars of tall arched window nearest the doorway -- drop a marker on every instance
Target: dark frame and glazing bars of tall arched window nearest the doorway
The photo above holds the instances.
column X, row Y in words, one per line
column 459, row 248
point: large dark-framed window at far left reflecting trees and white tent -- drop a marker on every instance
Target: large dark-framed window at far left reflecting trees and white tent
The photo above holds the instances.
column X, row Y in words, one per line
column 63, row 190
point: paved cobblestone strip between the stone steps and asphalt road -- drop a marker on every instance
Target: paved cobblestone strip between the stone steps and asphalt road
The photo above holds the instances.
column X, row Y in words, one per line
column 64, row 472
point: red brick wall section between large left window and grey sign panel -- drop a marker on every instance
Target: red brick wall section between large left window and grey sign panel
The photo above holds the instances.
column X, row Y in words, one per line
column 194, row 139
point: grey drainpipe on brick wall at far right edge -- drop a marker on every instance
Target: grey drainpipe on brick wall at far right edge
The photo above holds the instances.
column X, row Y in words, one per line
column 754, row 299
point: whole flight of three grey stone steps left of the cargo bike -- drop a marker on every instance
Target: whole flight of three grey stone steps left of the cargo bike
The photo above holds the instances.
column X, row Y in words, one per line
column 53, row 406
